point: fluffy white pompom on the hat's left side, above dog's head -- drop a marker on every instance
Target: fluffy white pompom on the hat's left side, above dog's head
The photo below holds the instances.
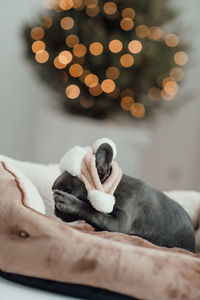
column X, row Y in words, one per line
column 71, row 161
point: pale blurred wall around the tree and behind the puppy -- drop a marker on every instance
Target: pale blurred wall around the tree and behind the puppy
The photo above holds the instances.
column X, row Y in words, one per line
column 164, row 152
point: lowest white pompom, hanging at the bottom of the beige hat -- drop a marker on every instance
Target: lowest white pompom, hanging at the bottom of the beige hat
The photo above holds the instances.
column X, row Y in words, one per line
column 101, row 201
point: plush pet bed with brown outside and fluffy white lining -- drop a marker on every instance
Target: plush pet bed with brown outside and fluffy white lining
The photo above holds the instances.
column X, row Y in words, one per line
column 38, row 249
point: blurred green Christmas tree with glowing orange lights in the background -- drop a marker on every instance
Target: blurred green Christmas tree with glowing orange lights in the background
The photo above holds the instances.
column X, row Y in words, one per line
column 105, row 56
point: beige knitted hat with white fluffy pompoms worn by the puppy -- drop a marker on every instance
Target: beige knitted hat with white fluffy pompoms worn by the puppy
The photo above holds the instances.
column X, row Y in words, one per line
column 81, row 162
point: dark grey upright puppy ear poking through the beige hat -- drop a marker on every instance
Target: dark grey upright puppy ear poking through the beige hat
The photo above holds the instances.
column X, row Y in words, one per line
column 104, row 157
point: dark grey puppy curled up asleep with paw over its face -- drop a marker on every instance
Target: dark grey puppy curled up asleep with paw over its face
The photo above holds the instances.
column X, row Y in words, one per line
column 139, row 209
